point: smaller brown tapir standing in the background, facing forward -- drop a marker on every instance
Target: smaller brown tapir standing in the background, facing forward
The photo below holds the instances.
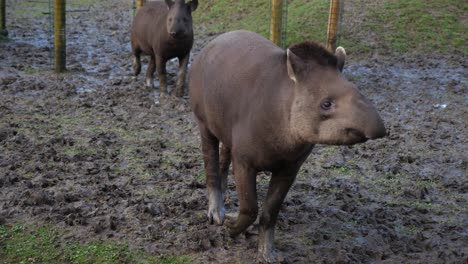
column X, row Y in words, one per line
column 163, row 31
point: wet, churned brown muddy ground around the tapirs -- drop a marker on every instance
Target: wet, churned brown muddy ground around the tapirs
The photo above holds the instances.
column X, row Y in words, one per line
column 88, row 151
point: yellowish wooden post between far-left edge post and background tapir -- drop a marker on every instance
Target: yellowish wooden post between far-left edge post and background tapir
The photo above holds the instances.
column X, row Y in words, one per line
column 60, row 46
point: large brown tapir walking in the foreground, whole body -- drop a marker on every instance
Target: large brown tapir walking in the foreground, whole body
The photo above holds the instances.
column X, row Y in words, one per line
column 269, row 107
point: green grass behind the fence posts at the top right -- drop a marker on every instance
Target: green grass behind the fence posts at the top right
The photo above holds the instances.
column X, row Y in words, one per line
column 386, row 27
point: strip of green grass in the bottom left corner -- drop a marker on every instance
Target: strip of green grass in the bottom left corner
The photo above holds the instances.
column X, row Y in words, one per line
column 43, row 244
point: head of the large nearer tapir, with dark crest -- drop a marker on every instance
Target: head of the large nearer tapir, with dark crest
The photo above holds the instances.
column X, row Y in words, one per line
column 328, row 109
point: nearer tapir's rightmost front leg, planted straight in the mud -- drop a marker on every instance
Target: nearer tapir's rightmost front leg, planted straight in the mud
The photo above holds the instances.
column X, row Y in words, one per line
column 279, row 186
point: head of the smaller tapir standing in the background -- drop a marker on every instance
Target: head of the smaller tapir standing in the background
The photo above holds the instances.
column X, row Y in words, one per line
column 179, row 18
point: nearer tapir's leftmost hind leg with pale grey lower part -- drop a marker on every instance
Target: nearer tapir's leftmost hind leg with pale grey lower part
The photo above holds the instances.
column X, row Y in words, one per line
column 210, row 149
